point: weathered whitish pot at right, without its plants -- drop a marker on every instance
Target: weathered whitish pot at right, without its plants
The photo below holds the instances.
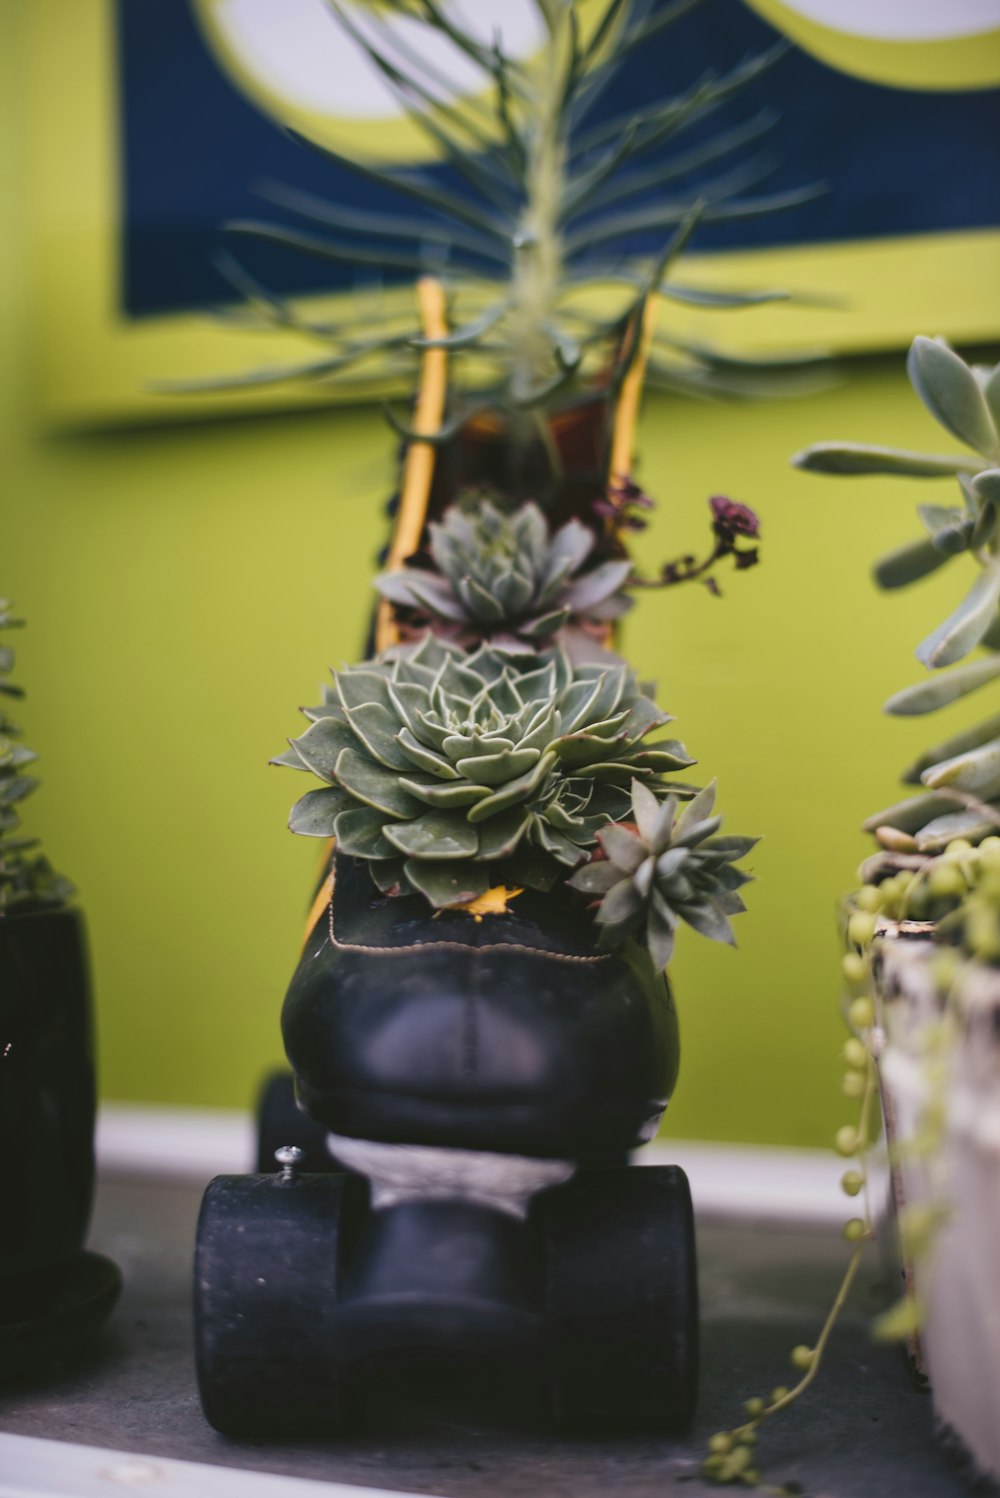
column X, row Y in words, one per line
column 959, row 1282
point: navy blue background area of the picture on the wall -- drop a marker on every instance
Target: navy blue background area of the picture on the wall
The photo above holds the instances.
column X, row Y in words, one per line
column 195, row 149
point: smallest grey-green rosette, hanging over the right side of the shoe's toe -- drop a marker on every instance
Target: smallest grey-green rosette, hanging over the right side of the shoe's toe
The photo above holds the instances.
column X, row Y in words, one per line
column 667, row 868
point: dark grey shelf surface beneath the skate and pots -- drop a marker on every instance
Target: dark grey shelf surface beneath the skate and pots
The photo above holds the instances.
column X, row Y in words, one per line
column 865, row 1431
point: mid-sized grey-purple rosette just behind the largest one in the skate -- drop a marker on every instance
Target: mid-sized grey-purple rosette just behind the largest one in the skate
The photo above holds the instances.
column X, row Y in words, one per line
column 507, row 579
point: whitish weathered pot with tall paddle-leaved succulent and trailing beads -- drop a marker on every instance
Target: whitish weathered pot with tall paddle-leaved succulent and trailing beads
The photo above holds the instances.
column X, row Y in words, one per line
column 924, row 931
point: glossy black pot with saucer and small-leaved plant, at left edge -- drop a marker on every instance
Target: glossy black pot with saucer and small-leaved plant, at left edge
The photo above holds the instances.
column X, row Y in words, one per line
column 52, row 1294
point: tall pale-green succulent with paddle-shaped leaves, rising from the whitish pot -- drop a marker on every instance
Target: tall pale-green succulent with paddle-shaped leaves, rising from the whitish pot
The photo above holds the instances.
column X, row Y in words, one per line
column 962, row 774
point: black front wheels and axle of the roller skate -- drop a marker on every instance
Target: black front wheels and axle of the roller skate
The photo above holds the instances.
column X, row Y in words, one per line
column 308, row 1300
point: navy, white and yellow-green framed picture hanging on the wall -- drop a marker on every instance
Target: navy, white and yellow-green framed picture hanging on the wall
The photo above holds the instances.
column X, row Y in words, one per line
column 158, row 121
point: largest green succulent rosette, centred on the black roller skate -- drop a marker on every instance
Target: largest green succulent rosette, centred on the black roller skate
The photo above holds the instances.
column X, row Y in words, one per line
column 453, row 772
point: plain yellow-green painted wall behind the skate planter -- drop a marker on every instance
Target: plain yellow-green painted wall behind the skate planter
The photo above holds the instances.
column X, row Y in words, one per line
column 188, row 588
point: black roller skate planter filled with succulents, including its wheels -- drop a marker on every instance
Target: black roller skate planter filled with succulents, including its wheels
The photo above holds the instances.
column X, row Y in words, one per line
column 483, row 1004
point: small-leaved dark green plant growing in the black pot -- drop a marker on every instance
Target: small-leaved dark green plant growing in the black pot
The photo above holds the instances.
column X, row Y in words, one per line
column 26, row 876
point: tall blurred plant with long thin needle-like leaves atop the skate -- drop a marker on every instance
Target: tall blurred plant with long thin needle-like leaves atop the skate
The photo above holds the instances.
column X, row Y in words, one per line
column 529, row 207
